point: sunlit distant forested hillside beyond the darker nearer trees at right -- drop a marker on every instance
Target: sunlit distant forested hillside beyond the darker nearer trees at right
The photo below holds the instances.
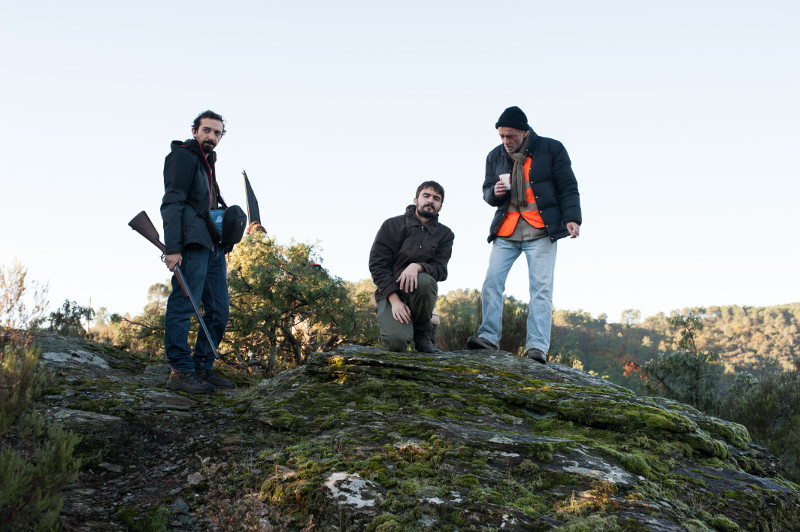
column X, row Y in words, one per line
column 748, row 339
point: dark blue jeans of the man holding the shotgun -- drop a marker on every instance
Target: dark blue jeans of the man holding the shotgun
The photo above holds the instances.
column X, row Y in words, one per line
column 206, row 277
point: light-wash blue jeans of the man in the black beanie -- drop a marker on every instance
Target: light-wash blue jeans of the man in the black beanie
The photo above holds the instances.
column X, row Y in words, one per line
column 541, row 255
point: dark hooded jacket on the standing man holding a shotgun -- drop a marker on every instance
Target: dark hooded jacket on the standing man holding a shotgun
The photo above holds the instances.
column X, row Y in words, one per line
column 190, row 190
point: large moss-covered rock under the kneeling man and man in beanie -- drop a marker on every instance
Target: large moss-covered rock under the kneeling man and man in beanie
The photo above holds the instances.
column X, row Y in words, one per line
column 366, row 439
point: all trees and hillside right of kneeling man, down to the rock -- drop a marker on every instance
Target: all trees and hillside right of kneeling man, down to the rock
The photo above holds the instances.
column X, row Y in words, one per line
column 738, row 363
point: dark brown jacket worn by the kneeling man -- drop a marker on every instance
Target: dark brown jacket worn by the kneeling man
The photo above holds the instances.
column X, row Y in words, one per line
column 405, row 239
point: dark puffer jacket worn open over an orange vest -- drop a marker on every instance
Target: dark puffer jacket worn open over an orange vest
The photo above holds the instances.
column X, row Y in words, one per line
column 552, row 180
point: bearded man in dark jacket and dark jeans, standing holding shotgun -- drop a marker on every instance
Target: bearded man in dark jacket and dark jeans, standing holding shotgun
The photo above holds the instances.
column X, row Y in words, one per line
column 191, row 194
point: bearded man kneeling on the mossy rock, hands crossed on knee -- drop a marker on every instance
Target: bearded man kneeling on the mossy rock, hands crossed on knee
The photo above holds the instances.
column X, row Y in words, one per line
column 409, row 256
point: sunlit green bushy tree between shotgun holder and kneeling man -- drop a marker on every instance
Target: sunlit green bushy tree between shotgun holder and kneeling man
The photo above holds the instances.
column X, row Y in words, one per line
column 284, row 305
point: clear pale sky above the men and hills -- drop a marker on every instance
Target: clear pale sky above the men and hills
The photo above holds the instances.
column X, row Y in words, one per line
column 681, row 119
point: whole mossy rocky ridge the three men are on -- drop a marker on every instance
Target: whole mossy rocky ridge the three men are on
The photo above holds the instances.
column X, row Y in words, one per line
column 363, row 439
